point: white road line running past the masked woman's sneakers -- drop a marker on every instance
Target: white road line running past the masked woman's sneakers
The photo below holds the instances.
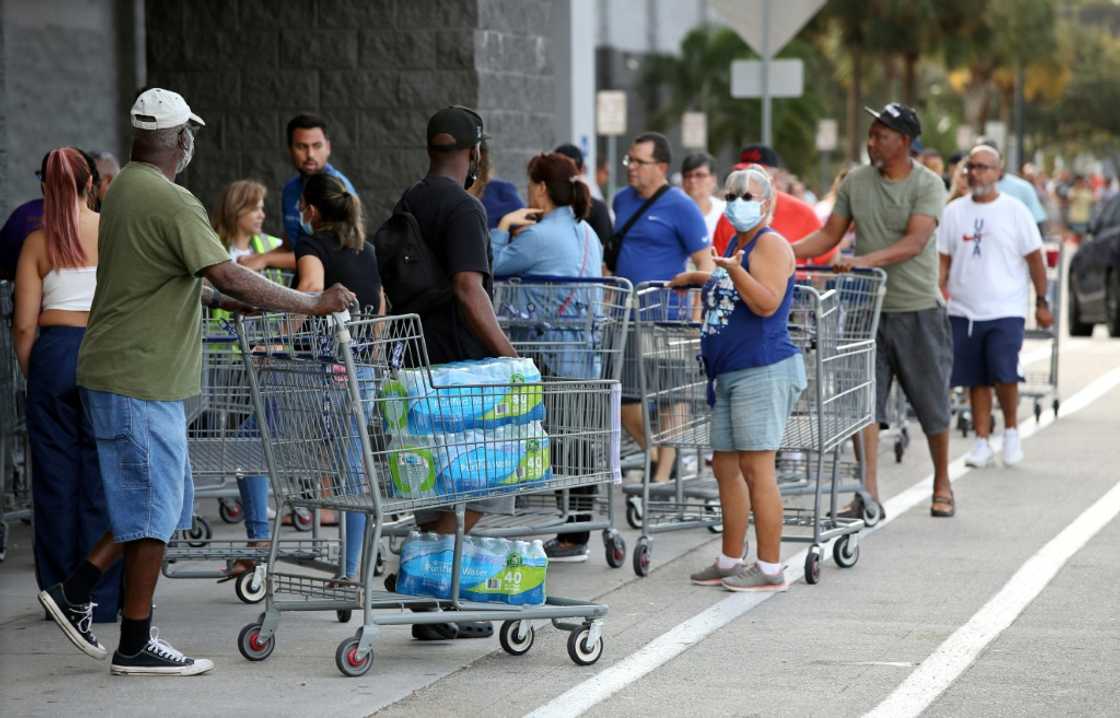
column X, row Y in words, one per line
column 584, row 696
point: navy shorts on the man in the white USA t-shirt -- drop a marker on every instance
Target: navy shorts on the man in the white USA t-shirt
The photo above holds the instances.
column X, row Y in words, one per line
column 987, row 353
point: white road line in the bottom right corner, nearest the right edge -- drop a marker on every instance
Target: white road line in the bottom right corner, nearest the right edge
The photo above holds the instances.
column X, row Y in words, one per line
column 954, row 657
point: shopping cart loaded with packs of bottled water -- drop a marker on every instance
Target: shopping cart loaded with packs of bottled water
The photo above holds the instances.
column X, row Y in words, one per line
column 334, row 415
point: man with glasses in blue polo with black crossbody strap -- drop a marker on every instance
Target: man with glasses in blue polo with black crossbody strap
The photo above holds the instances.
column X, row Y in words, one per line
column 656, row 248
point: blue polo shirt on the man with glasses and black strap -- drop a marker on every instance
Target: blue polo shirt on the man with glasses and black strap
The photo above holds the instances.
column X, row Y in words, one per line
column 660, row 244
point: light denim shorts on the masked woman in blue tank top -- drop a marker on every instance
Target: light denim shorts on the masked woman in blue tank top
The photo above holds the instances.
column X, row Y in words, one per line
column 753, row 406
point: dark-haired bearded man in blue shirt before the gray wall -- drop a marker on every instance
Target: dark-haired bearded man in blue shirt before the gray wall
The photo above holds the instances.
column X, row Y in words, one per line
column 311, row 152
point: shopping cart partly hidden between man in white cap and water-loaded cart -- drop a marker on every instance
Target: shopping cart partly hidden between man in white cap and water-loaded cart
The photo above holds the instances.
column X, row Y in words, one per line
column 225, row 446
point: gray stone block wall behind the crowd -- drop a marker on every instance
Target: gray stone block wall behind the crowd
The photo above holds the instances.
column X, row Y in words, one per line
column 375, row 69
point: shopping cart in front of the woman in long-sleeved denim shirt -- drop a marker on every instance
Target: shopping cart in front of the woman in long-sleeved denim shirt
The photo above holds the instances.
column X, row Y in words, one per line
column 574, row 329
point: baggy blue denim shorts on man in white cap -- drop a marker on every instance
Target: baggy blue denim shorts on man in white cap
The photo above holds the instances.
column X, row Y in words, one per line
column 145, row 464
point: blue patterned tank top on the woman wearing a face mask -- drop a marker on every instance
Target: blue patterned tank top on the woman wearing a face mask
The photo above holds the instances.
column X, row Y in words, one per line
column 734, row 338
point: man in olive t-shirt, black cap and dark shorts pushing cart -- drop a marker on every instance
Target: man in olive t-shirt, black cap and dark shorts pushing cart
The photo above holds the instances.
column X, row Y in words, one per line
column 897, row 204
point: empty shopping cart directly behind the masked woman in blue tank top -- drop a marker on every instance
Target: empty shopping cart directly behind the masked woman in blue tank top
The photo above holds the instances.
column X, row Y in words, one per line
column 832, row 319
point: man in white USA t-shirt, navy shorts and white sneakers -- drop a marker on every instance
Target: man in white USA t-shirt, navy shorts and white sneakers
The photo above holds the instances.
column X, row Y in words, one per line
column 991, row 250
